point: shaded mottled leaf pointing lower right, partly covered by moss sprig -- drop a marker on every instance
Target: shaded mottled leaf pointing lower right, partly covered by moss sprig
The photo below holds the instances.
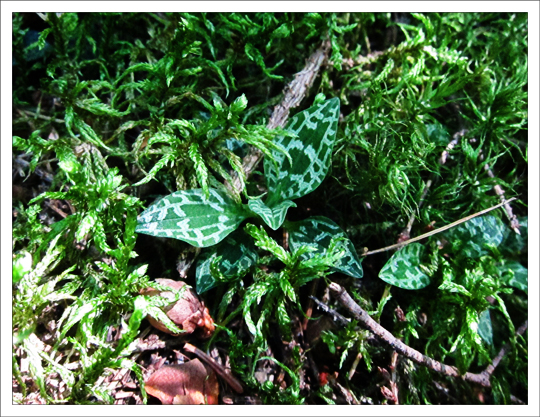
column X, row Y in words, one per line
column 318, row 232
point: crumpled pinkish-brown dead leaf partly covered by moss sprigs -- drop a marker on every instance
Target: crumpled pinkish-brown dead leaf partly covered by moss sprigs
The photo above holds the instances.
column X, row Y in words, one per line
column 189, row 313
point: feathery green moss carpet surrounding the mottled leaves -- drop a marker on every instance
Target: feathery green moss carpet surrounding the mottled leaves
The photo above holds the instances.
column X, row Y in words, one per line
column 112, row 110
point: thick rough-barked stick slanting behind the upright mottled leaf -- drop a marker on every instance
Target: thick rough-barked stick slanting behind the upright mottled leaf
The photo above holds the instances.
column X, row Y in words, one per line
column 294, row 93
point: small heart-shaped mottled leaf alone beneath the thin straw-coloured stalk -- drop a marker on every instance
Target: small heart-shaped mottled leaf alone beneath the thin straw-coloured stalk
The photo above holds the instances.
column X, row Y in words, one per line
column 403, row 269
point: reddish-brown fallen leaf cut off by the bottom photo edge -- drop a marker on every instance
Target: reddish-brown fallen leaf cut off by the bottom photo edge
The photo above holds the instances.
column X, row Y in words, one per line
column 189, row 383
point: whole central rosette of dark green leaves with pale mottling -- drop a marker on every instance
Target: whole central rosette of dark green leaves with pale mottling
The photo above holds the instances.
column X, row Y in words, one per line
column 297, row 169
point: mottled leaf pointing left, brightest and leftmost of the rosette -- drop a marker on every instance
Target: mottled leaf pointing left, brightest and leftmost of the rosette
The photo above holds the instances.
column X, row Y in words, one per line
column 188, row 216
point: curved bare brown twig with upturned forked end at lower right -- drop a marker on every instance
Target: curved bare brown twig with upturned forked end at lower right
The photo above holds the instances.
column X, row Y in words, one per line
column 363, row 317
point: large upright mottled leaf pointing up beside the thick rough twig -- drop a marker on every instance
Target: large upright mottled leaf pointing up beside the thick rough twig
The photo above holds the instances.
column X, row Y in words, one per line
column 310, row 152
